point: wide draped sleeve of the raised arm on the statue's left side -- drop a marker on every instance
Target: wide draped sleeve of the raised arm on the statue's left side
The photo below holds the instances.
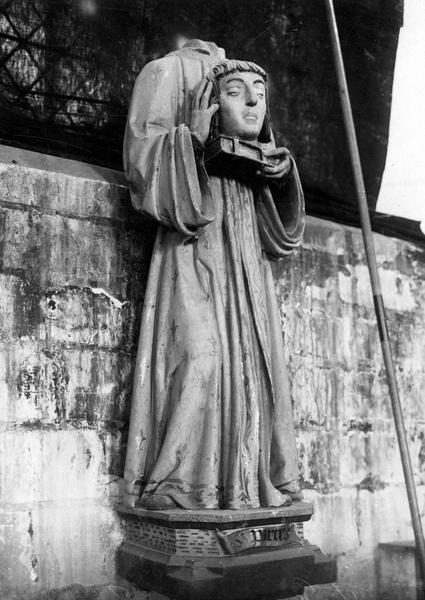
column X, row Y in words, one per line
column 166, row 181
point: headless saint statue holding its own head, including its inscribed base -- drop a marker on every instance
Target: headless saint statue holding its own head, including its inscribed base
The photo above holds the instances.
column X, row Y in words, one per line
column 211, row 425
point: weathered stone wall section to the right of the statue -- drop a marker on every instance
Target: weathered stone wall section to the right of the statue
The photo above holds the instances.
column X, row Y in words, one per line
column 347, row 444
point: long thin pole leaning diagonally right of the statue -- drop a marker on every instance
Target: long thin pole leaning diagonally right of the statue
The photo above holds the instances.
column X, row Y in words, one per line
column 377, row 295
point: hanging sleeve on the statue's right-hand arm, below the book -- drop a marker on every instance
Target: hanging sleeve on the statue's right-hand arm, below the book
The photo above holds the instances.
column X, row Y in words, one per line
column 281, row 215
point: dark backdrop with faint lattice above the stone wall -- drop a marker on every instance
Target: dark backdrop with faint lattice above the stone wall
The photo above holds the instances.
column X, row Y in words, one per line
column 67, row 68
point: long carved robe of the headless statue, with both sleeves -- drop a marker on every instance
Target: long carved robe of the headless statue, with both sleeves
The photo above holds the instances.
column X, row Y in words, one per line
column 211, row 423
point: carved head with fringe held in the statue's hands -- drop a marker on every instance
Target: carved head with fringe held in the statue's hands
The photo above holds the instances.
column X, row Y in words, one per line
column 240, row 88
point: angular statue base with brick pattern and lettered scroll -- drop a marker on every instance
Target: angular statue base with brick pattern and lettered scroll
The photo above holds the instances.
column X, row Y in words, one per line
column 254, row 554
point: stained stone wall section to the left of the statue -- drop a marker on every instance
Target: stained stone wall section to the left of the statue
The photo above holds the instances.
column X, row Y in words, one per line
column 73, row 263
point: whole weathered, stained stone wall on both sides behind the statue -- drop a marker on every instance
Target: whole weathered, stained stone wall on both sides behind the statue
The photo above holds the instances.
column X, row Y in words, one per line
column 73, row 266
